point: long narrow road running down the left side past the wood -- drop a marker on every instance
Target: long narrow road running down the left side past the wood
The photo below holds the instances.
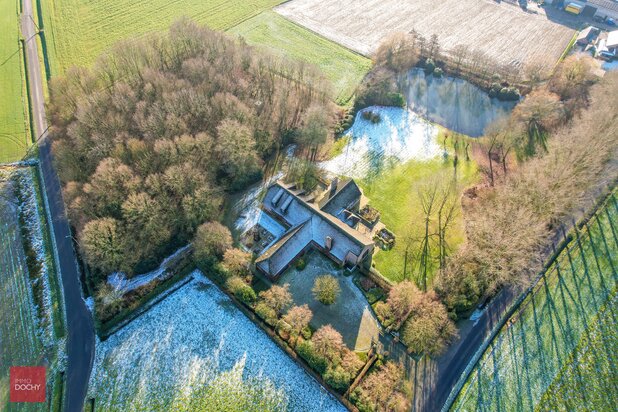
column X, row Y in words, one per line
column 80, row 327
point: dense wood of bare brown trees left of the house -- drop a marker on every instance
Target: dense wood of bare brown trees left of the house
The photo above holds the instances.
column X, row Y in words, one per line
column 149, row 141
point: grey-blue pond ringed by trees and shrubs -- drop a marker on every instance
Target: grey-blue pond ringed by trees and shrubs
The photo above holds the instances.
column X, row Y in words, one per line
column 453, row 103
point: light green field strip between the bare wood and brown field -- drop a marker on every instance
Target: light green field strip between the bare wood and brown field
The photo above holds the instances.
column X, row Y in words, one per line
column 344, row 68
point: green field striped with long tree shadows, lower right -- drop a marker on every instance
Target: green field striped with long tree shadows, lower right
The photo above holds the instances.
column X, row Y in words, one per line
column 555, row 340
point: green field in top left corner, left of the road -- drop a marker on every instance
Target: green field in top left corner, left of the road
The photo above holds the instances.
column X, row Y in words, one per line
column 13, row 125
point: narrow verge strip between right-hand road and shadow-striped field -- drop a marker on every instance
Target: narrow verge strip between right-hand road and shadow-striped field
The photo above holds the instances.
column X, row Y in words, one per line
column 562, row 245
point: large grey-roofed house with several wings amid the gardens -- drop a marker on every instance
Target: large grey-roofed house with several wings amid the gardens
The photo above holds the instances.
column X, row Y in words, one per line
column 329, row 222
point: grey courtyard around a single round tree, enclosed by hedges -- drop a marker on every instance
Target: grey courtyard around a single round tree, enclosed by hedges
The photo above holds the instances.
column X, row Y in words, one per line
column 350, row 315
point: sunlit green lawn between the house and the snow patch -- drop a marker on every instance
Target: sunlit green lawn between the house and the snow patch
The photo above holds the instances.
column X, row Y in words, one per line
column 395, row 194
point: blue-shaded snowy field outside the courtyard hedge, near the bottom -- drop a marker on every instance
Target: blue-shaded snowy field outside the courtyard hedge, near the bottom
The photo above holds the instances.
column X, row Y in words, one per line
column 185, row 342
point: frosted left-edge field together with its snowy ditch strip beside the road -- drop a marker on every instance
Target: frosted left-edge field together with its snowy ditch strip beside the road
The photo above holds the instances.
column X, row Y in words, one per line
column 25, row 337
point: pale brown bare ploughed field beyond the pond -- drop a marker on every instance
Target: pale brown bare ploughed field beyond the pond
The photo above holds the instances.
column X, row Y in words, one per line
column 502, row 31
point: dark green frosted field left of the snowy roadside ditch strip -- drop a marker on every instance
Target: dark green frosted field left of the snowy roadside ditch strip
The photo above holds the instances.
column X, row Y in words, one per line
column 19, row 340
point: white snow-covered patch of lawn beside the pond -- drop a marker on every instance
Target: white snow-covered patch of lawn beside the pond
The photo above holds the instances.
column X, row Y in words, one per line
column 399, row 136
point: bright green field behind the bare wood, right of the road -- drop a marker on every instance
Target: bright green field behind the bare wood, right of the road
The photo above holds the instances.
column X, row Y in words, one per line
column 78, row 31
